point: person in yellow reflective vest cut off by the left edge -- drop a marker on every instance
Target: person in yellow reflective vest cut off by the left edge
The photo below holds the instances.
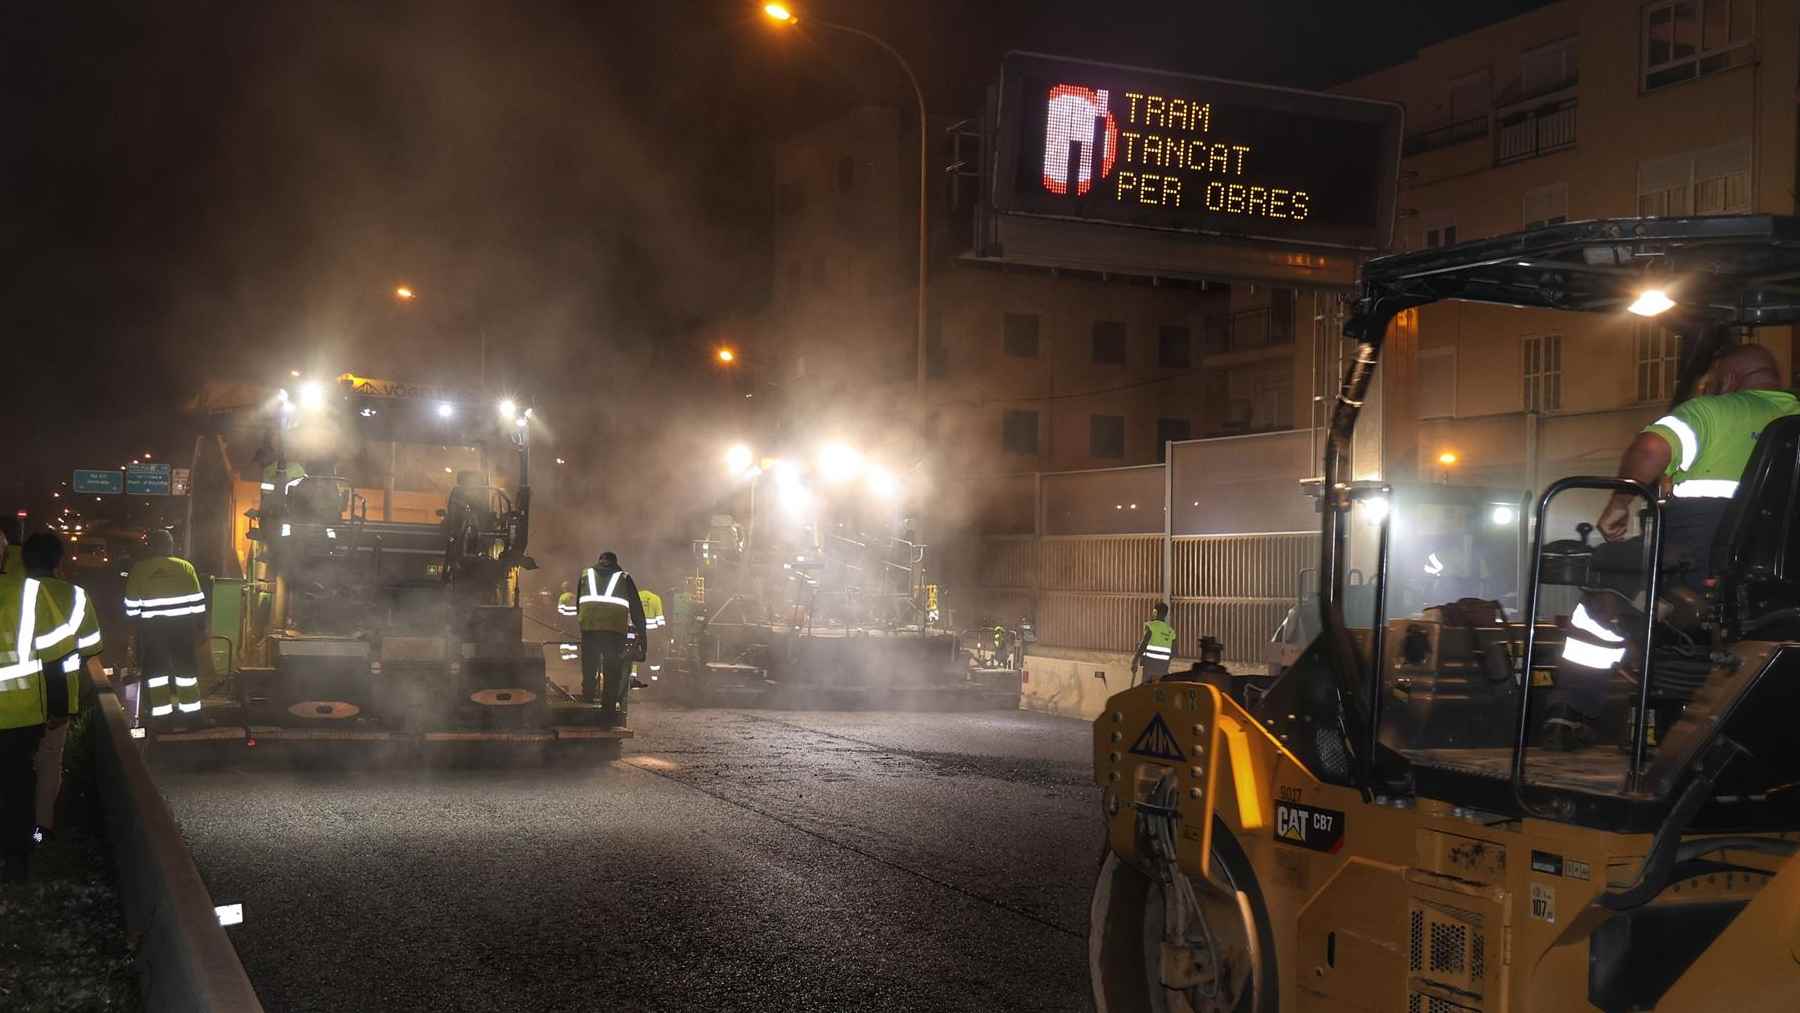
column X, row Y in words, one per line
column 33, row 631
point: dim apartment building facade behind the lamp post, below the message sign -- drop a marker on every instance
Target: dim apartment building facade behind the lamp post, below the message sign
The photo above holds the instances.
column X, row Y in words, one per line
column 1029, row 370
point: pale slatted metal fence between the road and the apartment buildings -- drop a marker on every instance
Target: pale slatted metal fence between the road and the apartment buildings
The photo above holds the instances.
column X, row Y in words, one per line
column 1228, row 557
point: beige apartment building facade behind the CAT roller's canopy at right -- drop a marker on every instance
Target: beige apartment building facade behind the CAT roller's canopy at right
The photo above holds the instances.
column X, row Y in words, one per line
column 1585, row 109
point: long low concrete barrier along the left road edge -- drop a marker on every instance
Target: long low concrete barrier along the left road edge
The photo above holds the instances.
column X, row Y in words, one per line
column 184, row 960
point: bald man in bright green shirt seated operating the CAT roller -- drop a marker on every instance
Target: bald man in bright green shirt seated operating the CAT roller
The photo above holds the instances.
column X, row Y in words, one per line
column 1702, row 447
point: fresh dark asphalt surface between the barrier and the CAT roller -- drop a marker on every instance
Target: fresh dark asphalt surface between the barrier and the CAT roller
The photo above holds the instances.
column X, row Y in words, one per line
column 730, row 861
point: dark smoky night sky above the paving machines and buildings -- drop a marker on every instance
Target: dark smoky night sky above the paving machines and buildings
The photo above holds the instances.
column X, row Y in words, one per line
column 233, row 190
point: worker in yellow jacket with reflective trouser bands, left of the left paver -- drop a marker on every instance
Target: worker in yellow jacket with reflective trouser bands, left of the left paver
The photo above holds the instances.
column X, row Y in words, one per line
column 163, row 595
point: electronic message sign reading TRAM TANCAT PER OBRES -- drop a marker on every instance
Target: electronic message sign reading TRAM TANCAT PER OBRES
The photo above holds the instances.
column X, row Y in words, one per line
column 1128, row 147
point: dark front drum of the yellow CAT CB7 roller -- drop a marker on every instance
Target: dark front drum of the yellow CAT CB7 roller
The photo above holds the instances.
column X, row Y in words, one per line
column 1117, row 951
